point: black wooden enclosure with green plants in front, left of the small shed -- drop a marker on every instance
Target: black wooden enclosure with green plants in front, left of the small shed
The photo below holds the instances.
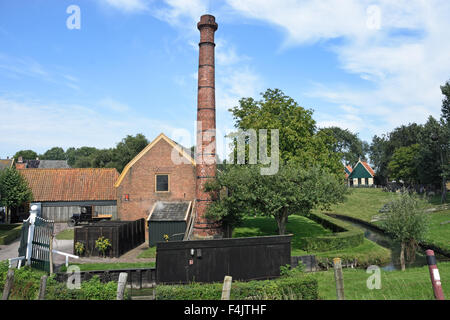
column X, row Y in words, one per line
column 123, row 236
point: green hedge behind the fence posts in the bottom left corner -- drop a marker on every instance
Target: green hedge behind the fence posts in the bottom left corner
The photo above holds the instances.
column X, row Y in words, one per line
column 27, row 282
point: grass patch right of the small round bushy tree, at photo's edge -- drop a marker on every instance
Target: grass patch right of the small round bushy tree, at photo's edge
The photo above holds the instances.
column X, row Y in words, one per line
column 439, row 234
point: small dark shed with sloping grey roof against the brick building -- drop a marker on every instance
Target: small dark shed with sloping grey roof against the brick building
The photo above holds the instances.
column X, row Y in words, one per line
column 168, row 218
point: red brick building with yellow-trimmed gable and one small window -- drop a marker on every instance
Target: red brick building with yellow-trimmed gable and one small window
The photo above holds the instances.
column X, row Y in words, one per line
column 153, row 176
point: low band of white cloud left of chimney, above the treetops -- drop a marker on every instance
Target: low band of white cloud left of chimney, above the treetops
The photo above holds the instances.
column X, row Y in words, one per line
column 39, row 125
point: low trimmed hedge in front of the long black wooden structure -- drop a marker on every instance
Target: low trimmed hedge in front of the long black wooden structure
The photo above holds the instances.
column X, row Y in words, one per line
column 302, row 287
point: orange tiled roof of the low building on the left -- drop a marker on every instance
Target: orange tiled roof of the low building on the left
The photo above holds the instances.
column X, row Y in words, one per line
column 84, row 184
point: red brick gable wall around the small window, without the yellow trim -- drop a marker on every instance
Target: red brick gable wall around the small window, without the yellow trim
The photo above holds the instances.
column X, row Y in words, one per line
column 139, row 183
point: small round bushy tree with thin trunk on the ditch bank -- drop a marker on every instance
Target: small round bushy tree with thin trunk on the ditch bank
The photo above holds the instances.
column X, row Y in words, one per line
column 407, row 223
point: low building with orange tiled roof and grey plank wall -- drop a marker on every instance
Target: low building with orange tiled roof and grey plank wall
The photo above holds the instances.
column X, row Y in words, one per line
column 61, row 192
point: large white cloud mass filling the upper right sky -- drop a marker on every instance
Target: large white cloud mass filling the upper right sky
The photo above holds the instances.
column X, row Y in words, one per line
column 401, row 64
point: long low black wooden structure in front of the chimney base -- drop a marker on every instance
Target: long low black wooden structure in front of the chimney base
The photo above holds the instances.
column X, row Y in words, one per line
column 244, row 259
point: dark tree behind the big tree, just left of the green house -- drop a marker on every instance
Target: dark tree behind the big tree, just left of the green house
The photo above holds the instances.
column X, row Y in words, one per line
column 348, row 145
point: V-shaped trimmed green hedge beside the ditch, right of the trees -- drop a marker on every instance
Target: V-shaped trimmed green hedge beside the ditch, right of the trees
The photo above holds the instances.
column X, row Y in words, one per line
column 344, row 235
